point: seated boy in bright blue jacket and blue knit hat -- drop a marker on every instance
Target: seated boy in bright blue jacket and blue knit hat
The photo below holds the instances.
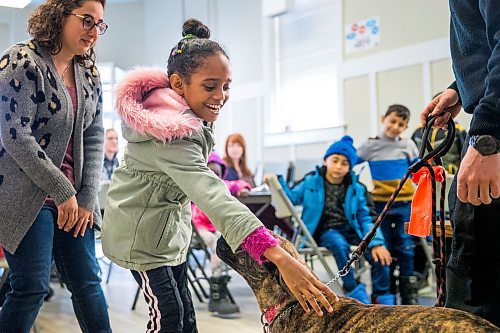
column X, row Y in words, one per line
column 336, row 212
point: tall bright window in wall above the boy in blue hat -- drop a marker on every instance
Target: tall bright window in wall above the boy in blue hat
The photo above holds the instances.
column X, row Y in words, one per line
column 305, row 73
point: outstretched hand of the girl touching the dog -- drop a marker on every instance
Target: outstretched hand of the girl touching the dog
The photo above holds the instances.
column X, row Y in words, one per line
column 302, row 283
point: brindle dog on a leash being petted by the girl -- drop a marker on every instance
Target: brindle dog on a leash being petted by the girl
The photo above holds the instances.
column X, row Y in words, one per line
column 286, row 315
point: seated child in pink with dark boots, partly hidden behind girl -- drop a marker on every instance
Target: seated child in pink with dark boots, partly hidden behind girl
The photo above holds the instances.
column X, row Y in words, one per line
column 219, row 301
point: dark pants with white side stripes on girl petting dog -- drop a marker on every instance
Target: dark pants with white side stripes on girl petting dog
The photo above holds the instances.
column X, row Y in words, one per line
column 169, row 299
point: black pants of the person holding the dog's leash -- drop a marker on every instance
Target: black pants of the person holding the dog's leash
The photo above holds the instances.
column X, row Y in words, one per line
column 473, row 271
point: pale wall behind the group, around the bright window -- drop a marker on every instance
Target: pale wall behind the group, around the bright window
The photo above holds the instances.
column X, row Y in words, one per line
column 411, row 63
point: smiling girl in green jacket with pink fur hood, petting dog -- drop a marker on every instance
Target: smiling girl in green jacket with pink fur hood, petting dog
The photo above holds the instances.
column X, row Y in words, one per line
column 168, row 123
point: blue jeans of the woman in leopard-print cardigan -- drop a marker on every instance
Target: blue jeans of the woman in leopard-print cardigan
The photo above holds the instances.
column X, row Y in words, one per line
column 30, row 269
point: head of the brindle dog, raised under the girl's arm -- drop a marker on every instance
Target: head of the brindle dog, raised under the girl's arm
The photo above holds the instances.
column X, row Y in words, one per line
column 265, row 280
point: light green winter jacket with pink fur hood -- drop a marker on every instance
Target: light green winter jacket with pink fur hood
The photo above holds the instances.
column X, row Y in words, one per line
column 147, row 221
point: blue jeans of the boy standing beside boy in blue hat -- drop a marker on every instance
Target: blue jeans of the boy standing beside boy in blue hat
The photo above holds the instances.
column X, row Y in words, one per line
column 399, row 244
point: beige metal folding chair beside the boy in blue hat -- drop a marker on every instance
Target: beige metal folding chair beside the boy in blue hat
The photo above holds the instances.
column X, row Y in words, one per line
column 303, row 240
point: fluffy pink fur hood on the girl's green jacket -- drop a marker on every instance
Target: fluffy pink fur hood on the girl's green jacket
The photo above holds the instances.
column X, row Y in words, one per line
column 147, row 105
